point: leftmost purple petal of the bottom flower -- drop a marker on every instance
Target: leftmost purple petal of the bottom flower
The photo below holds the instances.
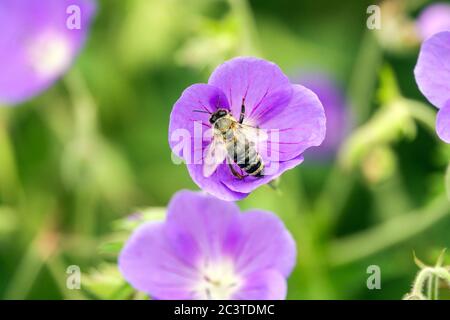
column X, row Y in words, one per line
column 150, row 264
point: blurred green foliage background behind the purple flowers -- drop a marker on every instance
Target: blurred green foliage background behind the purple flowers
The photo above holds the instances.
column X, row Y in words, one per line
column 80, row 158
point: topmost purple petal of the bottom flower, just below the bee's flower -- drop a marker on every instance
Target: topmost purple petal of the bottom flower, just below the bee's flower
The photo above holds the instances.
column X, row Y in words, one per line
column 200, row 220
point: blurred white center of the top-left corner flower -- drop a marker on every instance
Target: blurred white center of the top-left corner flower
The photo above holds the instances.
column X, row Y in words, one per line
column 49, row 54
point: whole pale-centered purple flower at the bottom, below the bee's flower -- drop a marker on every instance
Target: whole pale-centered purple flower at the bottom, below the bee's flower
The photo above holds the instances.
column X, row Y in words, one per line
column 206, row 249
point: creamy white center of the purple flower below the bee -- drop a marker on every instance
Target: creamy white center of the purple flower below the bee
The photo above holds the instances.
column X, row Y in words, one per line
column 217, row 281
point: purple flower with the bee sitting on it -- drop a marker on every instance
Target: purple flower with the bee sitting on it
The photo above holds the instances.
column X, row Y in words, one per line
column 250, row 145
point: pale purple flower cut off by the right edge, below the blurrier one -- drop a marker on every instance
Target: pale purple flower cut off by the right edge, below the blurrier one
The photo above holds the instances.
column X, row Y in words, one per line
column 433, row 78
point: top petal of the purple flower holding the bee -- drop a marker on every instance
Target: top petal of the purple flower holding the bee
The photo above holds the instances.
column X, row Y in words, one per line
column 261, row 83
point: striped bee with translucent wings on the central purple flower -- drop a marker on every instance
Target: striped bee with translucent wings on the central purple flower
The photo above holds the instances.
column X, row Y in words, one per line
column 234, row 142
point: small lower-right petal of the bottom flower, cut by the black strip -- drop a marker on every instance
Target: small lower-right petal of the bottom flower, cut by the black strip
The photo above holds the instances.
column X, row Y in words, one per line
column 263, row 285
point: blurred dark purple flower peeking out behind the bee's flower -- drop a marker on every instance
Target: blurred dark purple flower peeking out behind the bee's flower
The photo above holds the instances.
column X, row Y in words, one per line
column 336, row 112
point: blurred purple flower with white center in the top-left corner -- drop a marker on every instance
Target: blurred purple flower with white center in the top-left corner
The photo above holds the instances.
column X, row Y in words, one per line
column 38, row 42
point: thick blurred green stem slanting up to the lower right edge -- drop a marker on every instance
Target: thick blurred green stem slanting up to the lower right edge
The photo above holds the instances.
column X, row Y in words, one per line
column 392, row 232
